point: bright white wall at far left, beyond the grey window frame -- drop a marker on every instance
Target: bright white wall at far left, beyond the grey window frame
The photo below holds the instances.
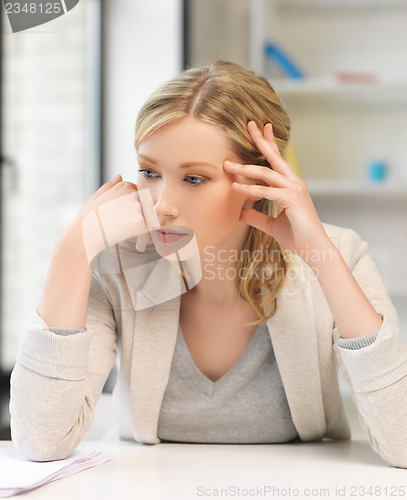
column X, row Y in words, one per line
column 45, row 127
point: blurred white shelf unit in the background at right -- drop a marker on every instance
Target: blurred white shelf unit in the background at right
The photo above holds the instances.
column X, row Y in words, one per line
column 339, row 128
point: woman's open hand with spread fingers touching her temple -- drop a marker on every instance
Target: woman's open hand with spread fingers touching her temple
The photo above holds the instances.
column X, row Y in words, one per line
column 297, row 228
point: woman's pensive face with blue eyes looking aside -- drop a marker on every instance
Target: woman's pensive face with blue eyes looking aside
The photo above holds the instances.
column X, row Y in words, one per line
column 182, row 165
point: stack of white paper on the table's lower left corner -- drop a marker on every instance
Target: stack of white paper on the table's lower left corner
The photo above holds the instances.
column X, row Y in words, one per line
column 19, row 474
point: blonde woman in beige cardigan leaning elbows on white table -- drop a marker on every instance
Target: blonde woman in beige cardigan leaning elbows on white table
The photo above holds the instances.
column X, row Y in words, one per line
column 248, row 354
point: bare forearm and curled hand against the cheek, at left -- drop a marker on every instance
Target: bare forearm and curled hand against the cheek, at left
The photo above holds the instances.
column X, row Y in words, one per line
column 65, row 296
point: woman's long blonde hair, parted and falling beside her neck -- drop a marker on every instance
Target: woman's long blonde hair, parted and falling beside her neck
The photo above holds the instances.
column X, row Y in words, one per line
column 228, row 96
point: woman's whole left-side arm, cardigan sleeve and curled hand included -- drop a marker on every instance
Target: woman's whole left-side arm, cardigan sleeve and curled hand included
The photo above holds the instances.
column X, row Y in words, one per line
column 57, row 378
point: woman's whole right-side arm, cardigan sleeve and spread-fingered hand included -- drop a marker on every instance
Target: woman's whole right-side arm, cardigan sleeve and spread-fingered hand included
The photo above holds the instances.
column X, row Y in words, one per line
column 376, row 373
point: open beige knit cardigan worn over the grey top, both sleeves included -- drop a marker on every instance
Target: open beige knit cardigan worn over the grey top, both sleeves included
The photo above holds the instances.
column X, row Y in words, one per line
column 57, row 379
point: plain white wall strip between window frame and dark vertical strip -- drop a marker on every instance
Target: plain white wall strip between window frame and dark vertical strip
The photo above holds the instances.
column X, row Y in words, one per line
column 143, row 49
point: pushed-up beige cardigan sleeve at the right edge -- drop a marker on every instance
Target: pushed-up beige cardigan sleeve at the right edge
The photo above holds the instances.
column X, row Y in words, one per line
column 377, row 371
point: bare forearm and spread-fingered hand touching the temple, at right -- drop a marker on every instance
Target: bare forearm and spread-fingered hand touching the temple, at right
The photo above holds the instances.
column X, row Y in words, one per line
column 299, row 229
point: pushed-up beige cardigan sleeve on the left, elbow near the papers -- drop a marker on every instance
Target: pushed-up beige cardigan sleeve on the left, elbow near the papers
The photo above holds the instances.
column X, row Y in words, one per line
column 57, row 380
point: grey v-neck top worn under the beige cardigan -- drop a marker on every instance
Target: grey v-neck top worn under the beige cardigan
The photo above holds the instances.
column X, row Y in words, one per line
column 247, row 405
